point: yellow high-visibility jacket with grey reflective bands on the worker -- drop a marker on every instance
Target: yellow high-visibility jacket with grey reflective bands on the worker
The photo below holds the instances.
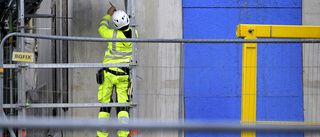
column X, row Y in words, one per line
column 117, row 52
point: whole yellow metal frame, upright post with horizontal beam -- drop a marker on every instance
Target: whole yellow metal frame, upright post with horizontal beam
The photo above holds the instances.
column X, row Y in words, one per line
column 249, row 64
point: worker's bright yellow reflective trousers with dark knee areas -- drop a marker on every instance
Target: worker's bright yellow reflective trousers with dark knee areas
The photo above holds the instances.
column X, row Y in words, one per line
column 121, row 83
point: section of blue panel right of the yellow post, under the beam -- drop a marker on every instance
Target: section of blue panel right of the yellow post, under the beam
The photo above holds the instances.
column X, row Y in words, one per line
column 279, row 85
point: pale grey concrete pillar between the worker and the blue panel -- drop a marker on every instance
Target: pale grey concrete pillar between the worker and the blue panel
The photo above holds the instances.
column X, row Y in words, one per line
column 159, row 64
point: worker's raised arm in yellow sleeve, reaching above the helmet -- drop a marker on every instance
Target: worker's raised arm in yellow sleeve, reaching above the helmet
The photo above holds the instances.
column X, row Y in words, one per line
column 104, row 31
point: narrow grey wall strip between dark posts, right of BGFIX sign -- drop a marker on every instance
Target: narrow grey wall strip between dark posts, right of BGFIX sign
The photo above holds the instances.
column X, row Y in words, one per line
column 44, row 77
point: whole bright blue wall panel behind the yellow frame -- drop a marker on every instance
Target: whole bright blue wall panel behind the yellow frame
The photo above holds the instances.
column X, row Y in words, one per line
column 213, row 71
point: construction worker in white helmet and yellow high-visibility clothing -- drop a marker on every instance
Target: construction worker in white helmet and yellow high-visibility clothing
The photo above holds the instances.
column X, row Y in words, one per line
column 117, row 52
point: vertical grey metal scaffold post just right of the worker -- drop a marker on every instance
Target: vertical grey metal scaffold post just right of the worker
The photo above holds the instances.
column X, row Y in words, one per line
column 134, row 64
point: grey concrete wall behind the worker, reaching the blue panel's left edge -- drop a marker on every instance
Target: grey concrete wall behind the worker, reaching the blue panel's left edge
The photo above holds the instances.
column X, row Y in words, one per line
column 158, row 64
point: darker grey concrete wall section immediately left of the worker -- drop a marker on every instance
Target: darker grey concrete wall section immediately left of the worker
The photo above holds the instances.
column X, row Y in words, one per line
column 86, row 16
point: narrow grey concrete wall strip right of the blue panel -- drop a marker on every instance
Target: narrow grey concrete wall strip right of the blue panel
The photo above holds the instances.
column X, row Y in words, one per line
column 311, row 70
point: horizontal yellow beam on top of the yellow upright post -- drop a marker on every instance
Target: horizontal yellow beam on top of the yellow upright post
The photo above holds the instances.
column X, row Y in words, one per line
column 278, row 31
